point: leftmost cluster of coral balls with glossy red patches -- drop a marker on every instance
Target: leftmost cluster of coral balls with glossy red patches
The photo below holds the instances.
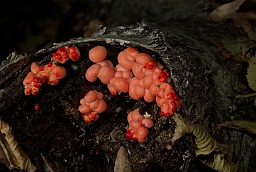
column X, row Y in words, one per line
column 50, row 73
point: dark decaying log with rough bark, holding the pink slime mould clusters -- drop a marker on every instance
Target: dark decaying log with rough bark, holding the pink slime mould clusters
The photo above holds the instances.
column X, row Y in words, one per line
column 57, row 136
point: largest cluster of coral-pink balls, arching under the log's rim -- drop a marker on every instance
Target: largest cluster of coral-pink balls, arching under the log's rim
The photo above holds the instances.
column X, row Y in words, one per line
column 136, row 73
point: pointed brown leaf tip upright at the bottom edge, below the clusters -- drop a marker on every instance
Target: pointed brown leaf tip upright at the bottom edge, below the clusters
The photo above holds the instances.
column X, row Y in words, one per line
column 122, row 163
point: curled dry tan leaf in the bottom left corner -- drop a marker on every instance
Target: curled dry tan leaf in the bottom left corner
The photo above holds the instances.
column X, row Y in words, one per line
column 12, row 154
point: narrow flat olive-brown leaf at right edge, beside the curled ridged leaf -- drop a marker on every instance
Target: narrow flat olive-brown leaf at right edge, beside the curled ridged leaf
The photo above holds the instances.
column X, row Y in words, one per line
column 242, row 125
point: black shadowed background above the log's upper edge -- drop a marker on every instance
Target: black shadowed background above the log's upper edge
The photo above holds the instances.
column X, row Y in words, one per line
column 28, row 26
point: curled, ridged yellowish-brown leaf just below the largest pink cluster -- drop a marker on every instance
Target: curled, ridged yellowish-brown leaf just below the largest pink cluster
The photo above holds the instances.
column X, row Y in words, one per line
column 205, row 144
